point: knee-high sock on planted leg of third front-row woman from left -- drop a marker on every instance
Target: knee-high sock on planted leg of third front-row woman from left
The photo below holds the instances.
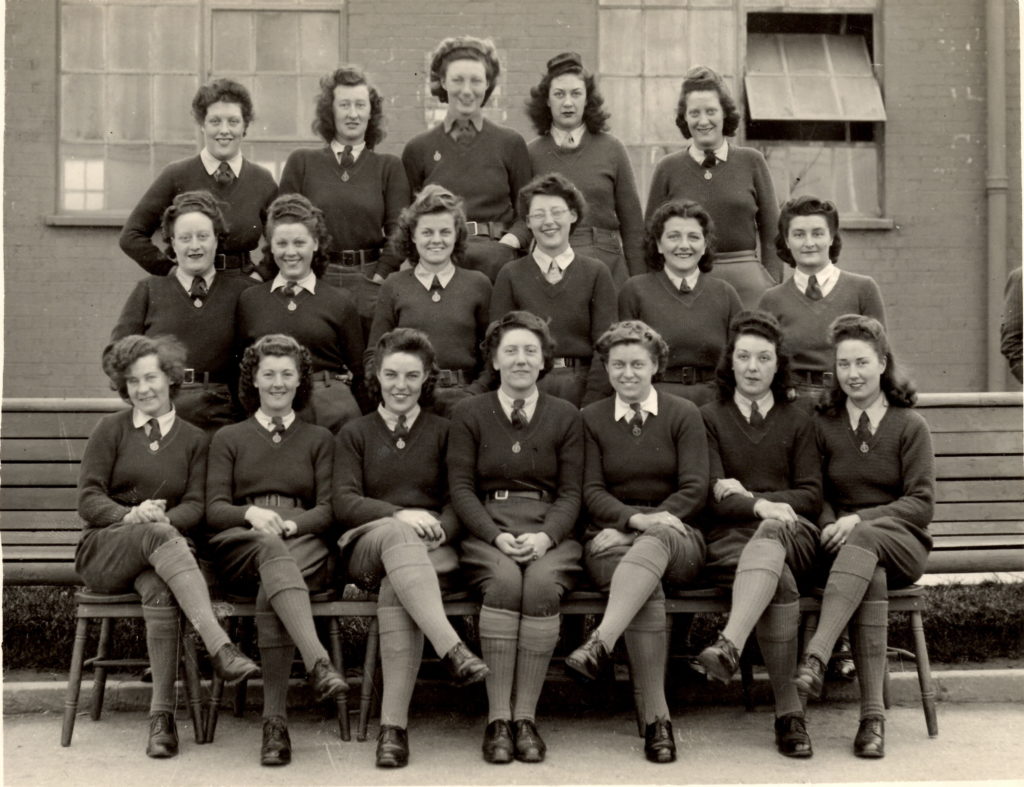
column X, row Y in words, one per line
column 402, row 652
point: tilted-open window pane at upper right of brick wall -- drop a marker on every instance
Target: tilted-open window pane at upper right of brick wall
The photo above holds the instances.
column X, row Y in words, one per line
column 796, row 77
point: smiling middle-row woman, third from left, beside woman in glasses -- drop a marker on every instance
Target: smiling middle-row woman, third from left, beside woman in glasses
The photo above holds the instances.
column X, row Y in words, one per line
column 438, row 296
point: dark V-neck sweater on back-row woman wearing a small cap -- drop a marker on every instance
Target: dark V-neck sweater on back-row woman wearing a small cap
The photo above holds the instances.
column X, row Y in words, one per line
column 601, row 168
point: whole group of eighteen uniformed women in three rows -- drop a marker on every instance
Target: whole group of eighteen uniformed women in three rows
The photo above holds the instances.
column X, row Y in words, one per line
column 521, row 285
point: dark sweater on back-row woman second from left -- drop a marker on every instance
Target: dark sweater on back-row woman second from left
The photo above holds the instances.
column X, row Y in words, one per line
column 362, row 211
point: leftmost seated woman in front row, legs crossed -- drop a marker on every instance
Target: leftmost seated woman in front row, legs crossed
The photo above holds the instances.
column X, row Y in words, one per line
column 140, row 494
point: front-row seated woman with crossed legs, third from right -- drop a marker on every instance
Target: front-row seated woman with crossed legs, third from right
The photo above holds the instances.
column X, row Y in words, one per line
column 646, row 476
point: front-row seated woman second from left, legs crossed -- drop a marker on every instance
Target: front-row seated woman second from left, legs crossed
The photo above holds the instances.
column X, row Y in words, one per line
column 269, row 503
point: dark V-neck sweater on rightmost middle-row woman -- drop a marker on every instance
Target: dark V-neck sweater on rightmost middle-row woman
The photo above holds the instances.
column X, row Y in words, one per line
column 805, row 323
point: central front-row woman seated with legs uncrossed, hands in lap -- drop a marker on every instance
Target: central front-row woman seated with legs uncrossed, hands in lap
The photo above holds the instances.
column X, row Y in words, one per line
column 516, row 466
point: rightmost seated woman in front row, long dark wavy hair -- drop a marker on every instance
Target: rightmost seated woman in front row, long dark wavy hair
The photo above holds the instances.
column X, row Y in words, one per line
column 879, row 475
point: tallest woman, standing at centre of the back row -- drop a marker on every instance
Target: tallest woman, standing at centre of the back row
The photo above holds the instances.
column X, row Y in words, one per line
column 485, row 164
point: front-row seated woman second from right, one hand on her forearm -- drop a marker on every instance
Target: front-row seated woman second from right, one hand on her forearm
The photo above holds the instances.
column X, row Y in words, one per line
column 767, row 492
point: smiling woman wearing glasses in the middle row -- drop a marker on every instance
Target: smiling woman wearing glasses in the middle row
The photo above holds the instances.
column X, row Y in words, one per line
column 574, row 294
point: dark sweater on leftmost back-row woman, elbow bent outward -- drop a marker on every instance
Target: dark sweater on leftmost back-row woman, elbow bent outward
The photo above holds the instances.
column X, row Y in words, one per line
column 246, row 201
